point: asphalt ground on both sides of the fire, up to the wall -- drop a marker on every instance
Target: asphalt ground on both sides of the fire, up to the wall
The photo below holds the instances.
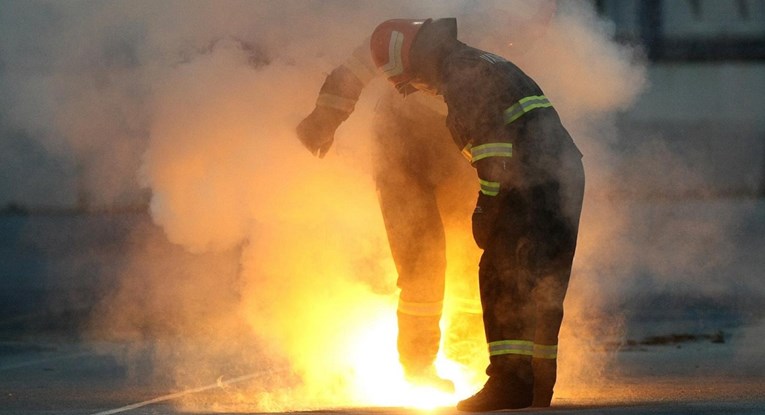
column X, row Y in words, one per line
column 683, row 352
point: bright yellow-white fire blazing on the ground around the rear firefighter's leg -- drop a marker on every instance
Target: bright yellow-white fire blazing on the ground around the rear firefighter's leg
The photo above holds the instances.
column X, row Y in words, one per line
column 336, row 335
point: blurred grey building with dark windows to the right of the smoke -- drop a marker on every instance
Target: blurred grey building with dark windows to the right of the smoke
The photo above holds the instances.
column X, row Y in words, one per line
column 706, row 90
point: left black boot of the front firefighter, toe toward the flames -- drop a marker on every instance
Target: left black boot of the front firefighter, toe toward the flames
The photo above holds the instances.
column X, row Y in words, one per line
column 510, row 386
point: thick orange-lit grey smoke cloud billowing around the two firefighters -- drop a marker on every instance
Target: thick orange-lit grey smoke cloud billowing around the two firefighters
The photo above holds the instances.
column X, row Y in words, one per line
column 194, row 103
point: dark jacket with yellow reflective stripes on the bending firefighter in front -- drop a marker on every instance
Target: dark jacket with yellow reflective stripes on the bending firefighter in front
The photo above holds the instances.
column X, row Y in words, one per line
column 502, row 122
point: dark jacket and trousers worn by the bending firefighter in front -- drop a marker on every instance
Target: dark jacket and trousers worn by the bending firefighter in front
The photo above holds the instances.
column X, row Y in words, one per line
column 531, row 182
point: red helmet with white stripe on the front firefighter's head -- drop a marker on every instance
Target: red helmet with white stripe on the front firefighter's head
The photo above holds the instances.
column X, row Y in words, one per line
column 391, row 45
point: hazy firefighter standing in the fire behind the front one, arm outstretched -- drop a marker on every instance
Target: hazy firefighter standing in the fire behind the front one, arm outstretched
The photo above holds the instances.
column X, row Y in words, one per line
column 420, row 185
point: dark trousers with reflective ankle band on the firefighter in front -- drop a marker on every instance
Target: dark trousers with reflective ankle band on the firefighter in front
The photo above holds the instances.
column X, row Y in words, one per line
column 524, row 274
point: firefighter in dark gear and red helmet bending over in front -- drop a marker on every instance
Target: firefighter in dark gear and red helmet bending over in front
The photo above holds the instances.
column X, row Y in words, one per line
column 526, row 217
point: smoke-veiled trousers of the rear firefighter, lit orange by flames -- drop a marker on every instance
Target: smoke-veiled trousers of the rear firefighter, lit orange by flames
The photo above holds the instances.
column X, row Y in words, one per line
column 414, row 157
